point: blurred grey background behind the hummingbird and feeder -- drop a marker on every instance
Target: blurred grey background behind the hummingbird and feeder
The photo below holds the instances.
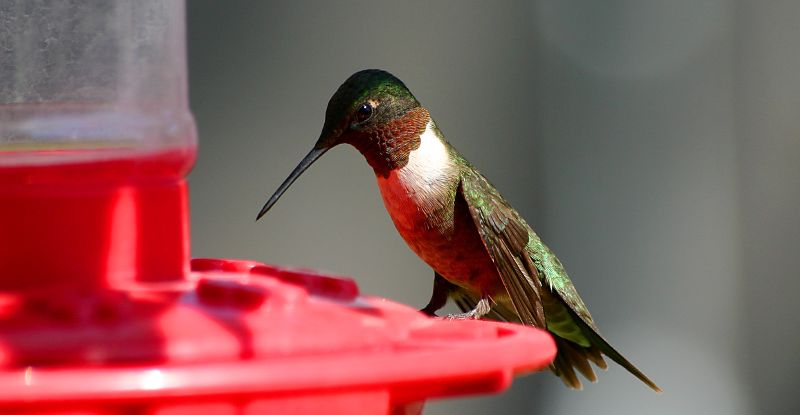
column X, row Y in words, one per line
column 654, row 145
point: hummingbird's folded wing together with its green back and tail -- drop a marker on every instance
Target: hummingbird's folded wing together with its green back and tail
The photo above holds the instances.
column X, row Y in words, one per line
column 521, row 259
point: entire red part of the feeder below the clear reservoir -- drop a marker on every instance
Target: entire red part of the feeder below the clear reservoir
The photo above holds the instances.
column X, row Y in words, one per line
column 99, row 314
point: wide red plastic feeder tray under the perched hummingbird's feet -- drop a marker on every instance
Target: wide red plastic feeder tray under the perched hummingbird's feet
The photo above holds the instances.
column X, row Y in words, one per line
column 240, row 328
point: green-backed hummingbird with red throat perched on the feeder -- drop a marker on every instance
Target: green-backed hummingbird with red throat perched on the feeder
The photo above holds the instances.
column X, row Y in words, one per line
column 485, row 257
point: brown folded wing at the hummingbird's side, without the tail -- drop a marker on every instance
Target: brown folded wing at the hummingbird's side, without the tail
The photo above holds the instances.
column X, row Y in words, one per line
column 505, row 236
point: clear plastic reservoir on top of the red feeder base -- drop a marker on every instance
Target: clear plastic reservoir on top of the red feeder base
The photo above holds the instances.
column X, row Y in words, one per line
column 87, row 80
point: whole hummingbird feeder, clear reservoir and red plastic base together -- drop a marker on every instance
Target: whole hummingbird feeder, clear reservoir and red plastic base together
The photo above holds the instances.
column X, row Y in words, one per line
column 101, row 311
